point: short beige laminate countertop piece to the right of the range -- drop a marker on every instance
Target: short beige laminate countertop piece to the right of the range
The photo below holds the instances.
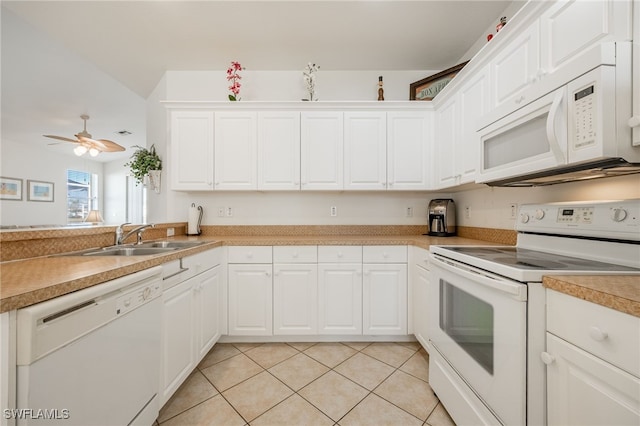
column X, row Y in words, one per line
column 619, row 292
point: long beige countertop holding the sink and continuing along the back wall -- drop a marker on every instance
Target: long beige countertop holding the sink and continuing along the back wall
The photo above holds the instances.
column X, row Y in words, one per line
column 29, row 281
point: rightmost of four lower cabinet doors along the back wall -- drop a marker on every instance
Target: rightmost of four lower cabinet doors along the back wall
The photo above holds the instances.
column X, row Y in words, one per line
column 384, row 288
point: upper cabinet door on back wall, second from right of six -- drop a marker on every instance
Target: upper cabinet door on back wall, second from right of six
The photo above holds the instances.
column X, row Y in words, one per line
column 365, row 150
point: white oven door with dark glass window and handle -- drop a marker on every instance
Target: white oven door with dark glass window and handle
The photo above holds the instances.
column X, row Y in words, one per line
column 477, row 323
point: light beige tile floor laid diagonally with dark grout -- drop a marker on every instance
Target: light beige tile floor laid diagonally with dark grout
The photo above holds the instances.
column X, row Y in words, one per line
column 282, row 384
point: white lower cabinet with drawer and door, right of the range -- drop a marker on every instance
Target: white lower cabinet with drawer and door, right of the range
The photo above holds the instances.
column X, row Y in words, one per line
column 593, row 373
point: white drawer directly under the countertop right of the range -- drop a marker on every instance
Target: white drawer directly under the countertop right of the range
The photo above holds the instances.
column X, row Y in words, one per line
column 603, row 332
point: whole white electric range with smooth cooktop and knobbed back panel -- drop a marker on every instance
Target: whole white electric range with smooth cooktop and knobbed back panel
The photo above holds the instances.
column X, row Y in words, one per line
column 487, row 305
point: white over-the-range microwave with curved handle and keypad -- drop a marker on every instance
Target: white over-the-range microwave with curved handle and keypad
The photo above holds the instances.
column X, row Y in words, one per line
column 577, row 131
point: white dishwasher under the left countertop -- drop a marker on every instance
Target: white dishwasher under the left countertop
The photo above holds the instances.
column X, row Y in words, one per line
column 92, row 357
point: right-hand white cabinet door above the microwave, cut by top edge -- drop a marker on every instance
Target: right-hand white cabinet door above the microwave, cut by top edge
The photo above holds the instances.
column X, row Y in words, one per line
column 570, row 27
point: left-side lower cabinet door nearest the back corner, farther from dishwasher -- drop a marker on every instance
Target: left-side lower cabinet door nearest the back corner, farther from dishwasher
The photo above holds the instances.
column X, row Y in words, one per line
column 207, row 288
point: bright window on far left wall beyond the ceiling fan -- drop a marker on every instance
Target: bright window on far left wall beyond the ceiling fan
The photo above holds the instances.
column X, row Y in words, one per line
column 82, row 195
